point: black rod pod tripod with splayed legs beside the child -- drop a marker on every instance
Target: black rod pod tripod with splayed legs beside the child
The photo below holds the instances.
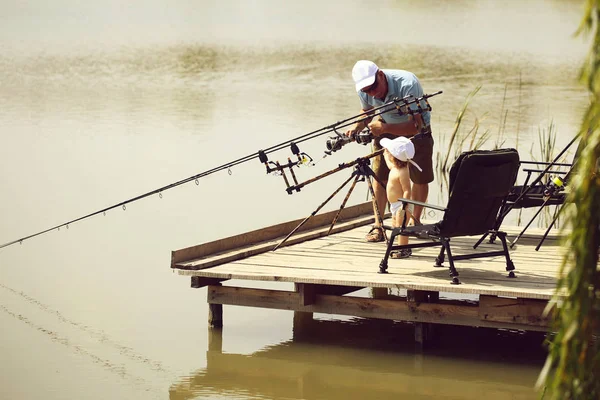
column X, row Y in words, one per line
column 362, row 171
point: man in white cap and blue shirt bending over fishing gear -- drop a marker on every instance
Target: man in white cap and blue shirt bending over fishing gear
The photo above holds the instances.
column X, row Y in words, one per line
column 376, row 87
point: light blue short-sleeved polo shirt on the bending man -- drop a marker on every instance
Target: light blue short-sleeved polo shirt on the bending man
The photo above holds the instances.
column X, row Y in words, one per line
column 400, row 84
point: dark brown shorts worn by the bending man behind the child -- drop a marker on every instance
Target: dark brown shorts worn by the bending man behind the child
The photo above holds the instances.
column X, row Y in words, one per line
column 423, row 157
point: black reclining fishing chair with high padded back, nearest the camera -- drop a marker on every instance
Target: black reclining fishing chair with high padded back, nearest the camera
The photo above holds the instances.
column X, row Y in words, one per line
column 479, row 183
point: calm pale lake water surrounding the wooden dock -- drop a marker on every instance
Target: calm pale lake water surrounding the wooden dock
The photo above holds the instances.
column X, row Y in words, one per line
column 103, row 101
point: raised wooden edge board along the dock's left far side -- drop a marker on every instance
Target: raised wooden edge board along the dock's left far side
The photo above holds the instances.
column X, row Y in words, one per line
column 267, row 234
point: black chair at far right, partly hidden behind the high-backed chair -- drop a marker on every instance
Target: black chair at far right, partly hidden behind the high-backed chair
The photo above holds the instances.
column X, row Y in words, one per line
column 538, row 190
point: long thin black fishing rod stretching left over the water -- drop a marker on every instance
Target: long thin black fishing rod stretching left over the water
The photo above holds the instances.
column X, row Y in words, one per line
column 389, row 106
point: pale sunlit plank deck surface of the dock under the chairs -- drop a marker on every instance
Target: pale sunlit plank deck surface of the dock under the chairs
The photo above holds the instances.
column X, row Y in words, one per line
column 345, row 260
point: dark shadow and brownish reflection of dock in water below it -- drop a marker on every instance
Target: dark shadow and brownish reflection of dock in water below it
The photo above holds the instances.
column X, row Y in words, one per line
column 371, row 359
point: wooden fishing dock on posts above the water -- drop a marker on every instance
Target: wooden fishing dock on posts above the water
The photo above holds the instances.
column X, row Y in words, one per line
column 326, row 269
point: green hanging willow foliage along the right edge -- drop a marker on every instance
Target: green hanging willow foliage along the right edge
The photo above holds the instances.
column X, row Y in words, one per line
column 572, row 370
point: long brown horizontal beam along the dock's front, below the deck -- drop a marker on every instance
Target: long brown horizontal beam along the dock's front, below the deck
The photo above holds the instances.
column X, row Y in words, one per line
column 440, row 313
